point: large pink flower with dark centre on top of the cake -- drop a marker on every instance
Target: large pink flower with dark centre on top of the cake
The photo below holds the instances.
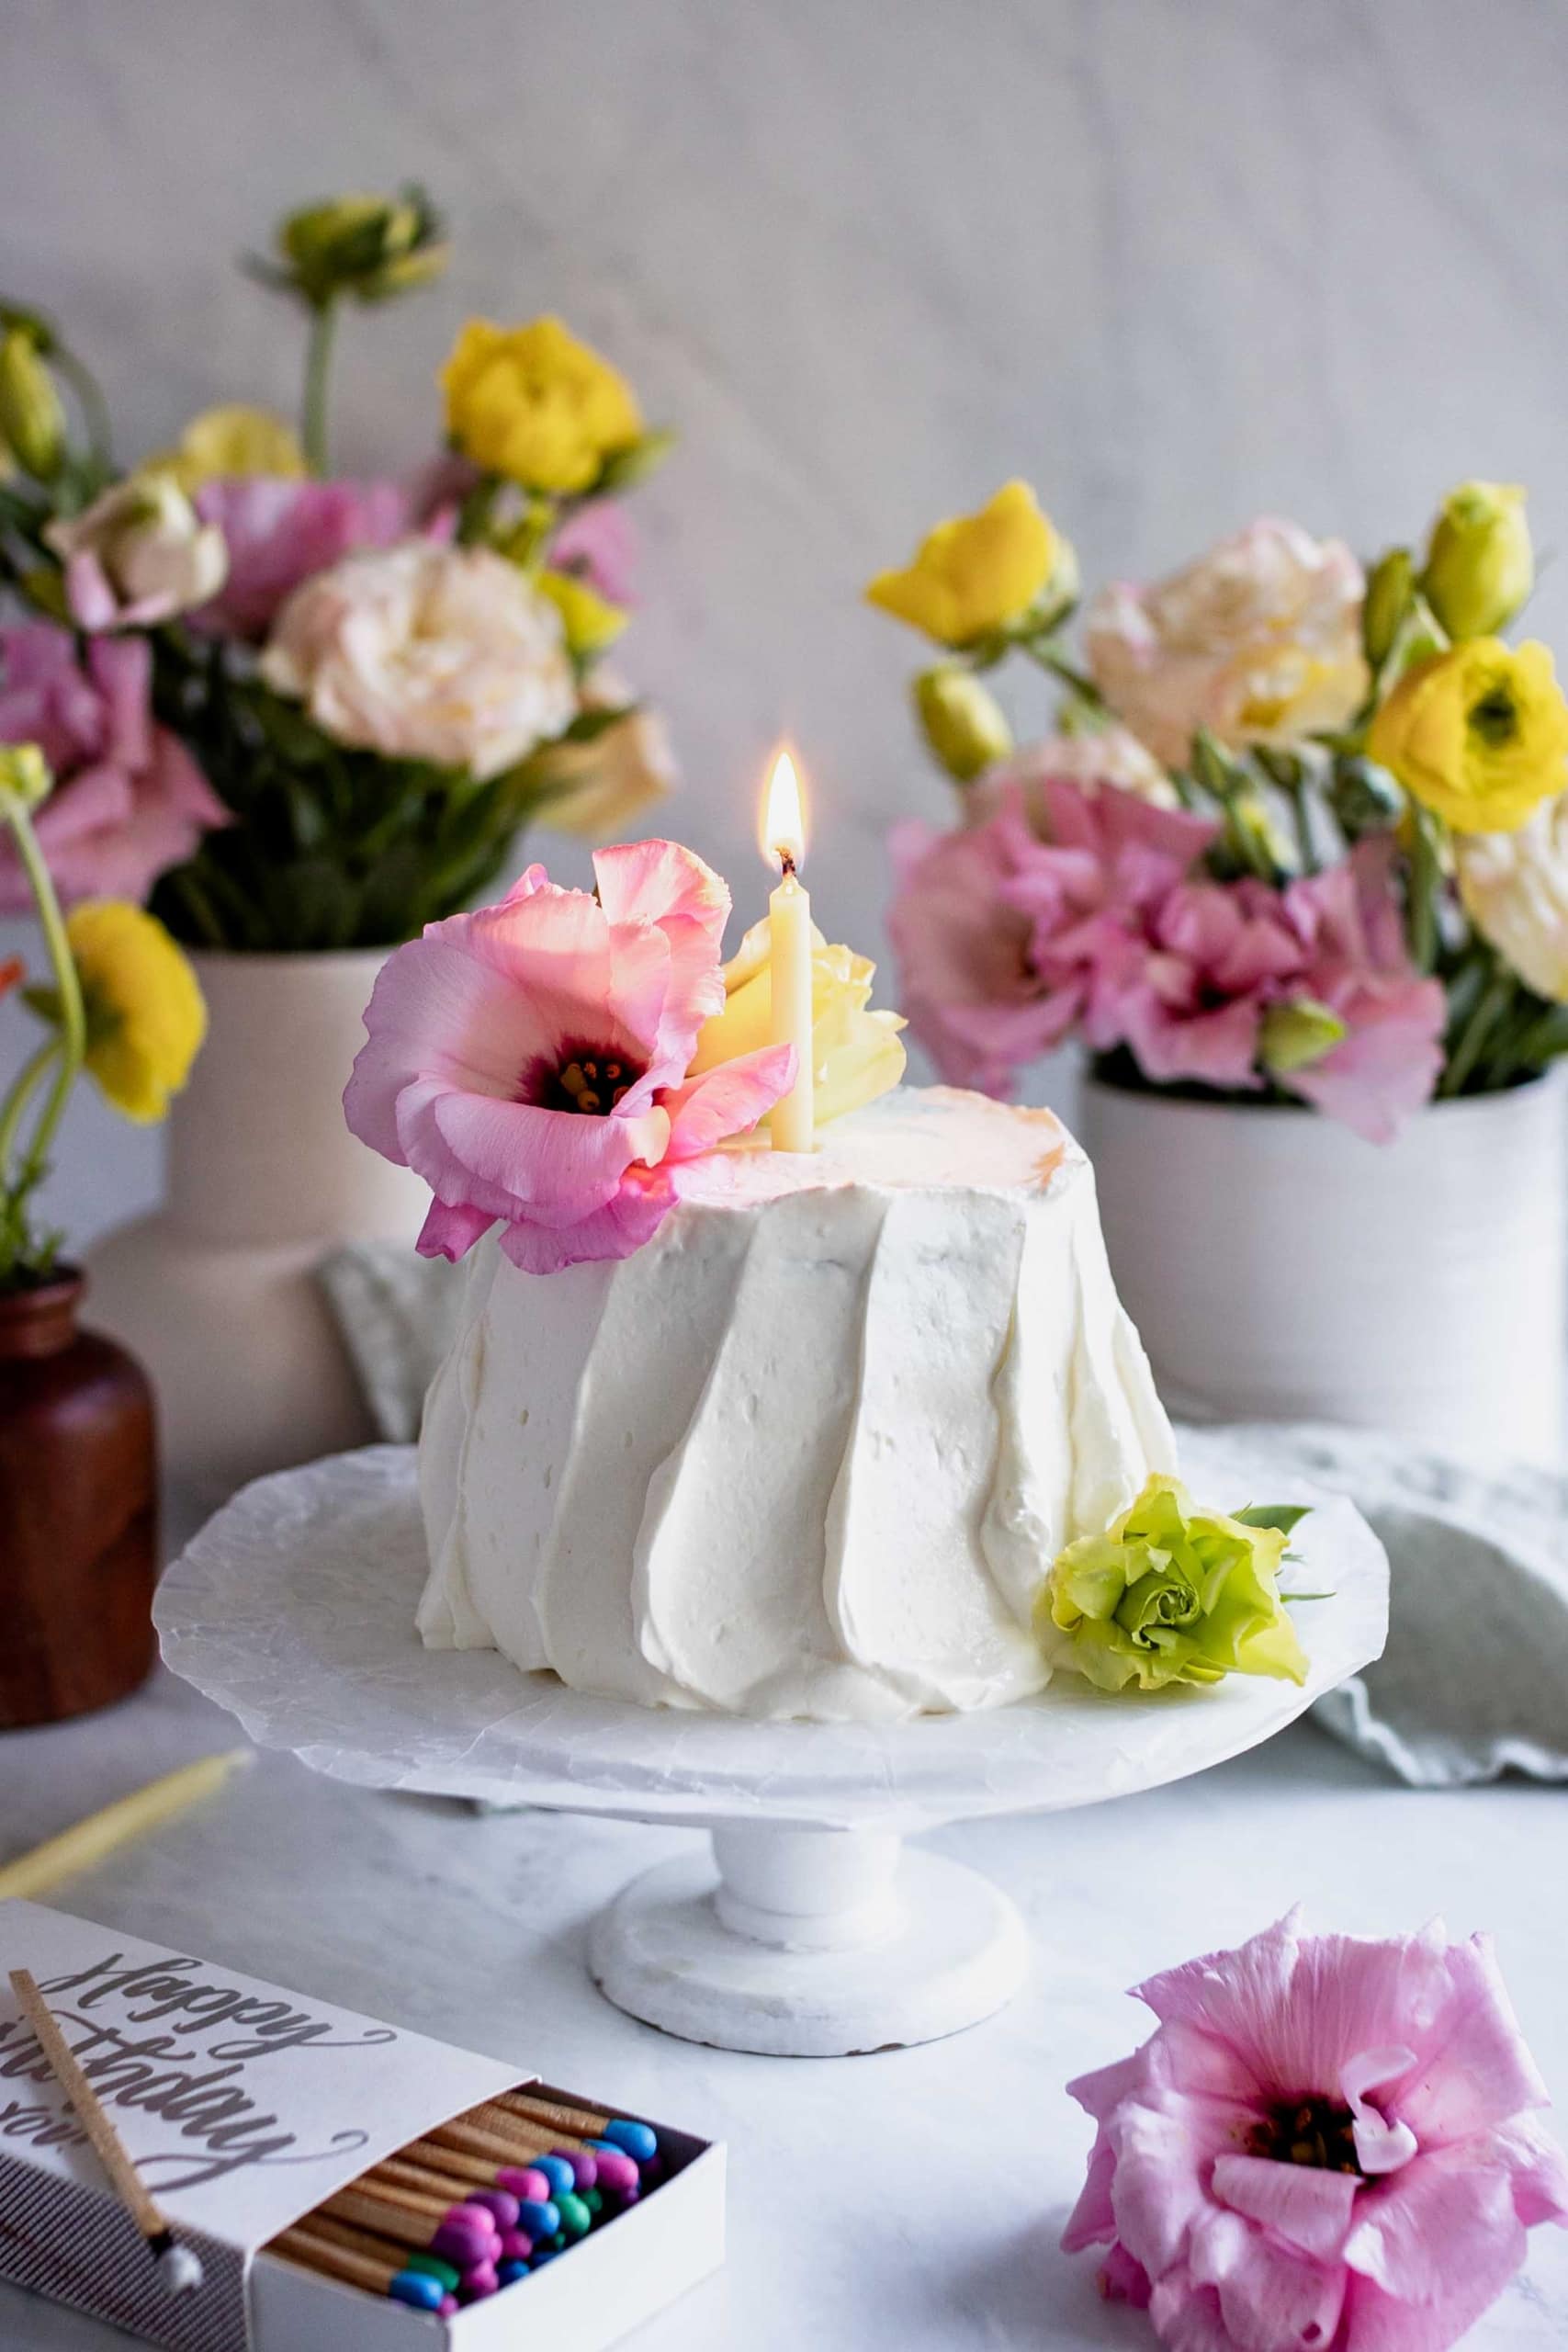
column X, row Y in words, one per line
column 530, row 1062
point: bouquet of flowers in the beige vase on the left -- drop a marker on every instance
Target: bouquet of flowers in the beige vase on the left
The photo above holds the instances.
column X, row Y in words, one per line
column 307, row 711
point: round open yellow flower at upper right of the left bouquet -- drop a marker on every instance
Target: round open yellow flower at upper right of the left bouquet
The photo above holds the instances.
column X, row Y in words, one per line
column 537, row 406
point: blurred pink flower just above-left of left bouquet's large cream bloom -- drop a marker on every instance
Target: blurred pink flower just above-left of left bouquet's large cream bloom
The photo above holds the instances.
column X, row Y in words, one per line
column 281, row 533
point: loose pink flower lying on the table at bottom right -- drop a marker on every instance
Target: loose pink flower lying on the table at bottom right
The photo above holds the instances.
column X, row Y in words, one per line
column 1327, row 2146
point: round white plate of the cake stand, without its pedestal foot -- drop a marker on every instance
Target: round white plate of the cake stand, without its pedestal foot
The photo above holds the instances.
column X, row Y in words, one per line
column 248, row 1617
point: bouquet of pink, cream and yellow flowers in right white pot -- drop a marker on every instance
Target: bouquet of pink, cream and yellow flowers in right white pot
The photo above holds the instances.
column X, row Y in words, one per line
column 1301, row 831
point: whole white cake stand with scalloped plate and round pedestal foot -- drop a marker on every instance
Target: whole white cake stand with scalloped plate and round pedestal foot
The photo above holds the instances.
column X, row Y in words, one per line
column 810, row 1930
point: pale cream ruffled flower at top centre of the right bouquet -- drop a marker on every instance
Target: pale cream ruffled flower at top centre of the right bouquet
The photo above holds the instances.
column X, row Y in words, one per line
column 1259, row 641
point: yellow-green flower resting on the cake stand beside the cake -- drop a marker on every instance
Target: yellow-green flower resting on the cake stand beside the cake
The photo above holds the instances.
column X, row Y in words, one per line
column 1172, row 1596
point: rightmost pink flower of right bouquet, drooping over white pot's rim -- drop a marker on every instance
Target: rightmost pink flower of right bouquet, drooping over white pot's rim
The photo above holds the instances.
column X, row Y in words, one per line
column 1360, row 968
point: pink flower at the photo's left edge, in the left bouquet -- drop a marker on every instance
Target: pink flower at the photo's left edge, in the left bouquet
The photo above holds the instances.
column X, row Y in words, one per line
column 128, row 796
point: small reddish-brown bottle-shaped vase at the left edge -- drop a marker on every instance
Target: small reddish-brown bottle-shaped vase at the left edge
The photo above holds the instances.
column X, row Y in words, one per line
column 79, row 1511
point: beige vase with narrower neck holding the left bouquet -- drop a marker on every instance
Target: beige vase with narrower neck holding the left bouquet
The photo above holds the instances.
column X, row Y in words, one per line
column 217, row 1290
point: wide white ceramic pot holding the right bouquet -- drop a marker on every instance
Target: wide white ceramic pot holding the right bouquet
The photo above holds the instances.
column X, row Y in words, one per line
column 1280, row 1269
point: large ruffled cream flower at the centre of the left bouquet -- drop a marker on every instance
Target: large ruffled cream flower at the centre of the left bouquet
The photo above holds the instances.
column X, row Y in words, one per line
column 427, row 653
